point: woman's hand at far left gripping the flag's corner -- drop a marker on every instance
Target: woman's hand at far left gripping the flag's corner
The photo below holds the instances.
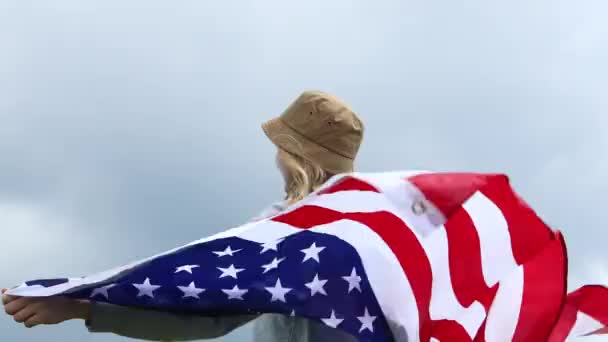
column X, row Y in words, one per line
column 32, row 311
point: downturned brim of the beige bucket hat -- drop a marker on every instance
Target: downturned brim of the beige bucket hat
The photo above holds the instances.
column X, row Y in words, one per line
column 292, row 141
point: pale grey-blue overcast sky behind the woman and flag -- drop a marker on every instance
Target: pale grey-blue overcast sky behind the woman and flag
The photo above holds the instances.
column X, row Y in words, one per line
column 130, row 127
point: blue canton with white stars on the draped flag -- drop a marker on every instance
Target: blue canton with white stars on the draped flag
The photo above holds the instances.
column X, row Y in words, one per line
column 308, row 274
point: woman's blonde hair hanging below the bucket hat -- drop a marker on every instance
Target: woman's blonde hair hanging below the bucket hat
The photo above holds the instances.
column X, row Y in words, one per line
column 301, row 176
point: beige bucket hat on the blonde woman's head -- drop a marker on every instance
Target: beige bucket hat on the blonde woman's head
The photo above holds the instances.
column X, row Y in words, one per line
column 320, row 128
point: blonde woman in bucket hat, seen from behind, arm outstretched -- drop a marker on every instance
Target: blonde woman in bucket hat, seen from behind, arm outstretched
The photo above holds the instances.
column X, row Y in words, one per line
column 317, row 136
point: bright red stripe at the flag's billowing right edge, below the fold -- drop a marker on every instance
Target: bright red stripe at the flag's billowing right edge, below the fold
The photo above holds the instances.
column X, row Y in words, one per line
column 544, row 292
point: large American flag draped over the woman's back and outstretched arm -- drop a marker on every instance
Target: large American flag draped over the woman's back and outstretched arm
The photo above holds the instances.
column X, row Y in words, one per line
column 397, row 256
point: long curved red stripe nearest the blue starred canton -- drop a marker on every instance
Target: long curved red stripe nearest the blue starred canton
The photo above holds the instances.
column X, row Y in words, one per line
column 396, row 234
